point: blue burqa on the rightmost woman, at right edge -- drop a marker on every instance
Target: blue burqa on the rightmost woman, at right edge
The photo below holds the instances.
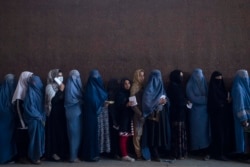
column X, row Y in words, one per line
column 241, row 106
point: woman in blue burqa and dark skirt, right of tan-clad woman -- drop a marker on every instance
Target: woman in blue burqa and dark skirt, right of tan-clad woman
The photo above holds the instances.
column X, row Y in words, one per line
column 155, row 111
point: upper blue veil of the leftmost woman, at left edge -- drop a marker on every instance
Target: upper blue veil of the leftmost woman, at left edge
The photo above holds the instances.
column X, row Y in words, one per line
column 6, row 93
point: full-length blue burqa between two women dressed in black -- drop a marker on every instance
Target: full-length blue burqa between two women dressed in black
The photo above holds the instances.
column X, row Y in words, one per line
column 197, row 92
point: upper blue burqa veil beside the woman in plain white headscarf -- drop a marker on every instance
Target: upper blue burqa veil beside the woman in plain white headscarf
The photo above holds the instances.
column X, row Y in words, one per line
column 34, row 100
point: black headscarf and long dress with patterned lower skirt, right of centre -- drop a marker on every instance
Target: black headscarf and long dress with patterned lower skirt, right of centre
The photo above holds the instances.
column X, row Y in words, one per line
column 178, row 112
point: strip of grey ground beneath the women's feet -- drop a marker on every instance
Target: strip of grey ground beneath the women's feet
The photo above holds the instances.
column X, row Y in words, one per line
column 190, row 162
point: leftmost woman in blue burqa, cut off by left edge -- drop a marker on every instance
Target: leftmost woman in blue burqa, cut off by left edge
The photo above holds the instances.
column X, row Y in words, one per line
column 7, row 122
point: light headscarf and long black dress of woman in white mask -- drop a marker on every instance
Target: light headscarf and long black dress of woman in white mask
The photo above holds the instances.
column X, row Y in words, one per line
column 56, row 126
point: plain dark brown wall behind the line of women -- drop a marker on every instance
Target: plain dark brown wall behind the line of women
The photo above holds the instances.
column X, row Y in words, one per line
column 119, row 36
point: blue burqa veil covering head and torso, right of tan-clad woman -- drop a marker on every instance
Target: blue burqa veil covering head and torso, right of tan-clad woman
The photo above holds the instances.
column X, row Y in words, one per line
column 152, row 93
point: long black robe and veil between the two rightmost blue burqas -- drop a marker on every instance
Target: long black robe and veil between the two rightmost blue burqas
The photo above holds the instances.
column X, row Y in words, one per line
column 217, row 109
